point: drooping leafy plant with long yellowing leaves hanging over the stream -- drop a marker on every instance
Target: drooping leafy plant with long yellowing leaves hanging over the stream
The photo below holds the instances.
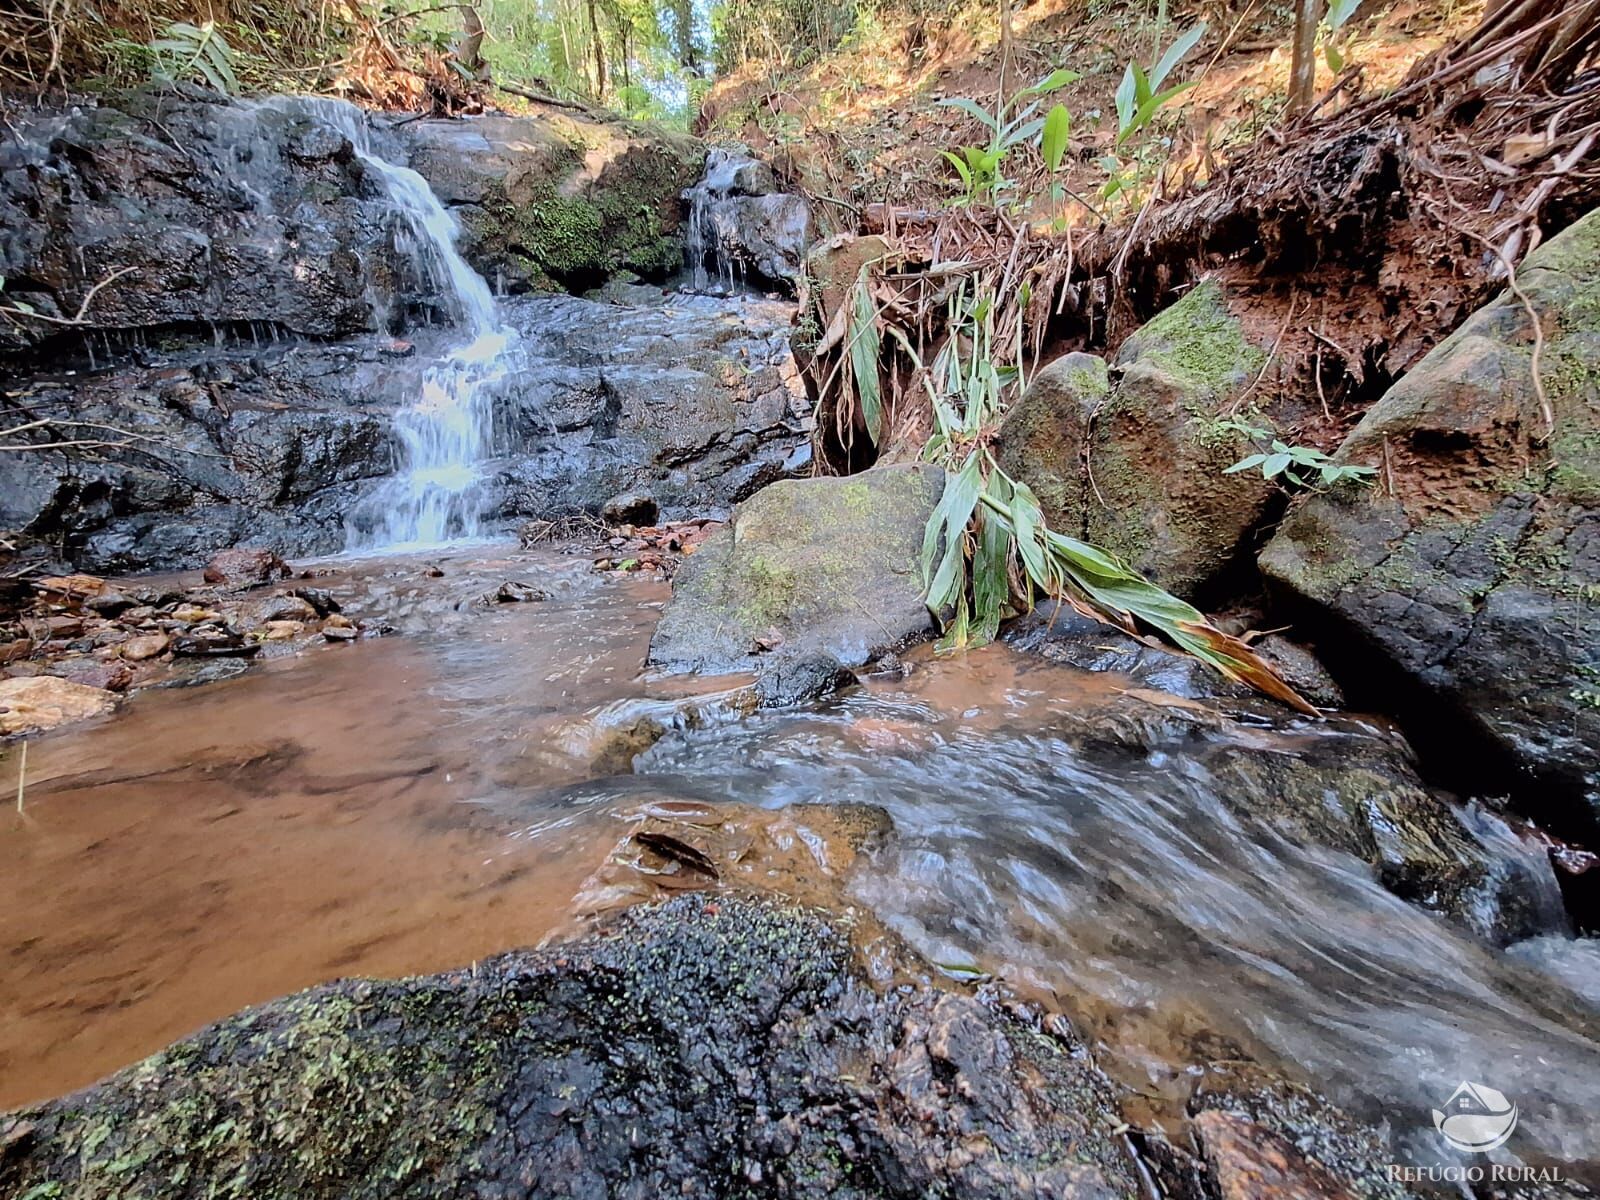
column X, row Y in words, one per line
column 988, row 551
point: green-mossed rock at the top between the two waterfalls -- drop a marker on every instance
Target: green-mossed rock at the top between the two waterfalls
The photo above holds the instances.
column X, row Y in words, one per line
column 561, row 198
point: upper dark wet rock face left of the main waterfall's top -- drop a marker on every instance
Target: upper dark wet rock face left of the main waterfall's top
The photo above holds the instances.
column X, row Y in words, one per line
column 218, row 214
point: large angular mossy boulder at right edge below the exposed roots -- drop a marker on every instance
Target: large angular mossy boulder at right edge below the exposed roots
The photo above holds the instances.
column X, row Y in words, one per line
column 1473, row 567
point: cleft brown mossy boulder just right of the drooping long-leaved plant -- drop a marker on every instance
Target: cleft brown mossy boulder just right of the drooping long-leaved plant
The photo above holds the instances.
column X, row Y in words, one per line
column 1135, row 465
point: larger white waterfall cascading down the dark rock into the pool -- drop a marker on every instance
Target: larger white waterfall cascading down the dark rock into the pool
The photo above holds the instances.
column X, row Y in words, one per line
column 446, row 431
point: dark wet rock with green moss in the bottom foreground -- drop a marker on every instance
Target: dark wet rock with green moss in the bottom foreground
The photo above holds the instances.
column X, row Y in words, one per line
column 698, row 1049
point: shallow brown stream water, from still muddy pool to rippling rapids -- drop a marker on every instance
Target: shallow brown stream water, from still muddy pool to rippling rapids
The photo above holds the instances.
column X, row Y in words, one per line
column 417, row 802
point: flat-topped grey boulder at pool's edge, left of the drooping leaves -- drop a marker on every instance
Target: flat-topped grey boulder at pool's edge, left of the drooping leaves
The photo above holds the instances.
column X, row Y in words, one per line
column 818, row 567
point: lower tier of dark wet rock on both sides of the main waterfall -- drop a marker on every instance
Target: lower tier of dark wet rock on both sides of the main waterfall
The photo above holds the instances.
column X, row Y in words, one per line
column 694, row 402
